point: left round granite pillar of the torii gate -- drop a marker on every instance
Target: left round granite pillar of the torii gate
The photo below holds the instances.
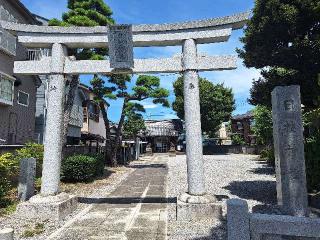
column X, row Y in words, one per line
column 54, row 125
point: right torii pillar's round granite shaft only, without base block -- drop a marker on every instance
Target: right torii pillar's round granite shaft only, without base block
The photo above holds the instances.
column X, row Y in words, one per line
column 196, row 184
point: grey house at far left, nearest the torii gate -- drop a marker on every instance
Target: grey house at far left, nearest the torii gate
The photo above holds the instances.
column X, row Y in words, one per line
column 17, row 93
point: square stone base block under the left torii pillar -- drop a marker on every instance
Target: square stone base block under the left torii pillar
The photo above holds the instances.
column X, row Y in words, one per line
column 44, row 208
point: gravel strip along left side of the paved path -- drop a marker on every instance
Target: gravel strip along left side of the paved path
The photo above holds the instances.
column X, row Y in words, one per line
column 99, row 188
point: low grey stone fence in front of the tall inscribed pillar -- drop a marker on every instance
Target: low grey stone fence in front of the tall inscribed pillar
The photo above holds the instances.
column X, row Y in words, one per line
column 243, row 225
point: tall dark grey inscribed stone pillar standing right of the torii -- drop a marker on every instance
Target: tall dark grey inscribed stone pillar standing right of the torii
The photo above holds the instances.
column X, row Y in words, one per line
column 289, row 150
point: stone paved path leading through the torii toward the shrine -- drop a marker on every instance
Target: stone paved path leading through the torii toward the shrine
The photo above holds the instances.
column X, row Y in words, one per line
column 136, row 210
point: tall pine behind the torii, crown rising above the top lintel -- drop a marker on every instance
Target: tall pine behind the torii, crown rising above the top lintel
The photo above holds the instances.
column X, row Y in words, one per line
column 83, row 13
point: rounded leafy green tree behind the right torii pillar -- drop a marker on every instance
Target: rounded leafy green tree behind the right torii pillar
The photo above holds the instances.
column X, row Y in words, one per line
column 216, row 104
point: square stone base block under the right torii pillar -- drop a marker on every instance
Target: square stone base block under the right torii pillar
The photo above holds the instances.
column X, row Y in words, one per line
column 194, row 211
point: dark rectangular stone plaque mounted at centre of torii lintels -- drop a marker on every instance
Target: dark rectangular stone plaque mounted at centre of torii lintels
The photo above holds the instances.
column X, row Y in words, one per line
column 121, row 47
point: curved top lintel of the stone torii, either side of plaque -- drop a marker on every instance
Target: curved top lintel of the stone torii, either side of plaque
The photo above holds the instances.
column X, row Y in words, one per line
column 203, row 31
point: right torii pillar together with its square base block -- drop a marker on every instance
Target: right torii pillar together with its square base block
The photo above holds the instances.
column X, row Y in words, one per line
column 195, row 204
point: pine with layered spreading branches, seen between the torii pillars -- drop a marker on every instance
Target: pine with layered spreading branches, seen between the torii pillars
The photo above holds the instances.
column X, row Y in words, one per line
column 117, row 87
